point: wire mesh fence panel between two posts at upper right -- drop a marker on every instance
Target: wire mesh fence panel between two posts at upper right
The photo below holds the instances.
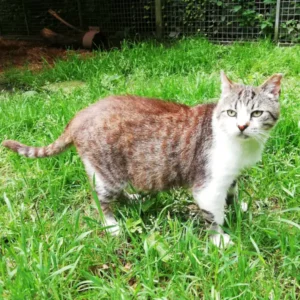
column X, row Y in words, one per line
column 219, row 20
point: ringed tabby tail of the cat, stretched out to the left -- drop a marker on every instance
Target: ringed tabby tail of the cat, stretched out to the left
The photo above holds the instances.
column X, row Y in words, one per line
column 58, row 146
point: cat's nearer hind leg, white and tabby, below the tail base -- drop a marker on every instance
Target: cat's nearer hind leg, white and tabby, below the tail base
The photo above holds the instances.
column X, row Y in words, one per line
column 106, row 194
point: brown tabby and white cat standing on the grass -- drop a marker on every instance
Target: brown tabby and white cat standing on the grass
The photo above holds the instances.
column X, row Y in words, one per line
column 156, row 145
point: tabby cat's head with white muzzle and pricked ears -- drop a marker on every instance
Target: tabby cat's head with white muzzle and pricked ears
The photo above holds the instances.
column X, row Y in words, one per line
column 248, row 112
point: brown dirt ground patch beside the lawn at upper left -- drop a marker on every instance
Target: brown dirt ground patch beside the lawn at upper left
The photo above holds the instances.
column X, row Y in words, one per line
column 14, row 53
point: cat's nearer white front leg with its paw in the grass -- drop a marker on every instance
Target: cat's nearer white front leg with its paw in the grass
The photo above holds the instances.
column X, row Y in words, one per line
column 211, row 200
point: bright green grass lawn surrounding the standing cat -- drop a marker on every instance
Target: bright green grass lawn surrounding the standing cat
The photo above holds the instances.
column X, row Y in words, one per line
column 51, row 244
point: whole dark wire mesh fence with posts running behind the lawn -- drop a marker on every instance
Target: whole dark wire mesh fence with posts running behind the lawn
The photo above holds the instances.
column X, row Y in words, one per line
column 218, row 20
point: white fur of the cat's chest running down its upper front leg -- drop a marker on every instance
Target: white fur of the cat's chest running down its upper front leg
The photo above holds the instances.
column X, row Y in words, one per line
column 227, row 157
